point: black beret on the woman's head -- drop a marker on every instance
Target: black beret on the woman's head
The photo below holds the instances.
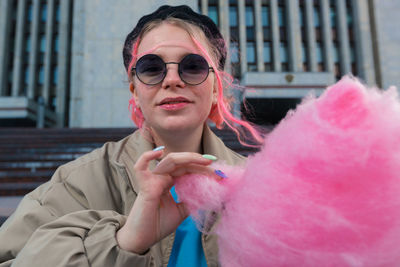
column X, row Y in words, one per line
column 184, row 13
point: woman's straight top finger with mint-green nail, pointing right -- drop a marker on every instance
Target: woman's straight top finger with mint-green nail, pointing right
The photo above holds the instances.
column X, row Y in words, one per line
column 174, row 160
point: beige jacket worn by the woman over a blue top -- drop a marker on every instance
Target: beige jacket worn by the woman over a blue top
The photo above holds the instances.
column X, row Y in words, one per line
column 72, row 219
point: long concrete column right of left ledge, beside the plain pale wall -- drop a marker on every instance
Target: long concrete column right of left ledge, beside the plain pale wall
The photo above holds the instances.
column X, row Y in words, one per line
column 63, row 61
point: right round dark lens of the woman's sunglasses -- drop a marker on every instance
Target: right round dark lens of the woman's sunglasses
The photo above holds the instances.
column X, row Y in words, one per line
column 193, row 69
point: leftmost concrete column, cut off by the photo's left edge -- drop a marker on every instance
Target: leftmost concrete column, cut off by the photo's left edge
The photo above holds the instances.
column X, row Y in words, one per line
column 5, row 17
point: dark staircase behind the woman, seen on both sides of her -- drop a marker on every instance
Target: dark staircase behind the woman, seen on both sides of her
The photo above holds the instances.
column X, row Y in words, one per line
column 29, row 156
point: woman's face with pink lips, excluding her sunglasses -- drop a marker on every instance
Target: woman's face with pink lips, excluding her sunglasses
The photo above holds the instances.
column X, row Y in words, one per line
column 173, row 105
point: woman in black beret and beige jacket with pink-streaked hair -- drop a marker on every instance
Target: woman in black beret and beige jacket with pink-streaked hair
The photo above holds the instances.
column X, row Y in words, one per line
column 113, row 207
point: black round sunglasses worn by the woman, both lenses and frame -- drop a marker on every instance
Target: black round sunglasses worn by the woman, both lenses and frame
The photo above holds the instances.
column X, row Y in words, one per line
column 151, row 69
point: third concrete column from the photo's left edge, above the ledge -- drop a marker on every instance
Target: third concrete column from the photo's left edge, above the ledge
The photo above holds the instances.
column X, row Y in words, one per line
column 33, row 55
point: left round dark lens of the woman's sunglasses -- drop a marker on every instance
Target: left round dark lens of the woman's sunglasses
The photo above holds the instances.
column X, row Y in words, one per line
column 150, row 69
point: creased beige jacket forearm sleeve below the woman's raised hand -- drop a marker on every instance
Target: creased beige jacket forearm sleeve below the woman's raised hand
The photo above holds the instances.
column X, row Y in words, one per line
column 83, row 238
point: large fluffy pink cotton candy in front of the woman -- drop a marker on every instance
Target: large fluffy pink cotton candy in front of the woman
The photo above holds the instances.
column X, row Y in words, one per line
column 323, row 191
